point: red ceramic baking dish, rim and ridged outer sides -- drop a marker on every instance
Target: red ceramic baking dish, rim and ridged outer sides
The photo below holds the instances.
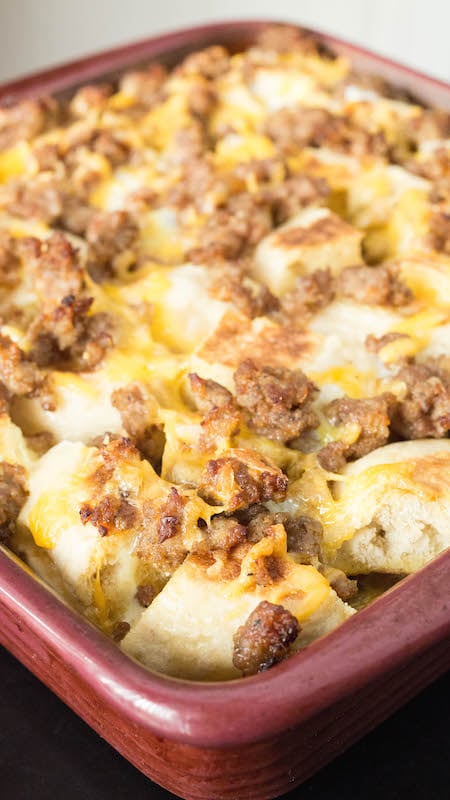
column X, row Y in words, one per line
column 258, row 737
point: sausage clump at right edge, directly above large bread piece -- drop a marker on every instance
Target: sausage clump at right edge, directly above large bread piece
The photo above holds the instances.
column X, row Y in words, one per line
column 424, row 412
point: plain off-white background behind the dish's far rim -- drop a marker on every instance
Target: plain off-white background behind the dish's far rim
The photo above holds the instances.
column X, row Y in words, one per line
column 38, row 33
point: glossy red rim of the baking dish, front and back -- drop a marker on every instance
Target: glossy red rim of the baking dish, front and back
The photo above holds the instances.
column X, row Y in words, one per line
column 405, row 621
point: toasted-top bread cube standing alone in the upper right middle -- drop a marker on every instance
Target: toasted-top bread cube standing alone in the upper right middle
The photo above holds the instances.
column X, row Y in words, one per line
column 316, row 238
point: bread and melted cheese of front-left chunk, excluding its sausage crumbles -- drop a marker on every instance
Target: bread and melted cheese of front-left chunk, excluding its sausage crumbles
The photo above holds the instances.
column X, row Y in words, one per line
column 101, row 572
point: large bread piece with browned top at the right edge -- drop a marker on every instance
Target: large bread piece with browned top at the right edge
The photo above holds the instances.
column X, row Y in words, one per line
column 393, row 510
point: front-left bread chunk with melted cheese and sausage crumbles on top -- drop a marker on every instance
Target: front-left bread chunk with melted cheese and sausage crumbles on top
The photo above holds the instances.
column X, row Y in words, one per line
column 108, row 523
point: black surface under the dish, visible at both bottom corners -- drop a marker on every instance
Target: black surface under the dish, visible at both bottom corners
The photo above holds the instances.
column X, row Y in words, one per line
column 47, row 753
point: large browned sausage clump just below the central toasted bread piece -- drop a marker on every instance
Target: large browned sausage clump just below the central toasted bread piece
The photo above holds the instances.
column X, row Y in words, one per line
column 277, row 400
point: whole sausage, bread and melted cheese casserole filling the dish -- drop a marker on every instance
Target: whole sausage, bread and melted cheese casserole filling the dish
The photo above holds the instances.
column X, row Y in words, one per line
column 225, row 349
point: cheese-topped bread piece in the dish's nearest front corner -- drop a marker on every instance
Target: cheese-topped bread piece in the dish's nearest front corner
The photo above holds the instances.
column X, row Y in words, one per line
column 187, row 631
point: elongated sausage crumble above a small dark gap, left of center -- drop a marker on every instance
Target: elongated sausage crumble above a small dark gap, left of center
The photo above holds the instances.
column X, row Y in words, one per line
column 136, row 411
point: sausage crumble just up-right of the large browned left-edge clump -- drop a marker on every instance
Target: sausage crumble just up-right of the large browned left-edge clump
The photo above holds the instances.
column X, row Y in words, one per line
column 109, row 234
